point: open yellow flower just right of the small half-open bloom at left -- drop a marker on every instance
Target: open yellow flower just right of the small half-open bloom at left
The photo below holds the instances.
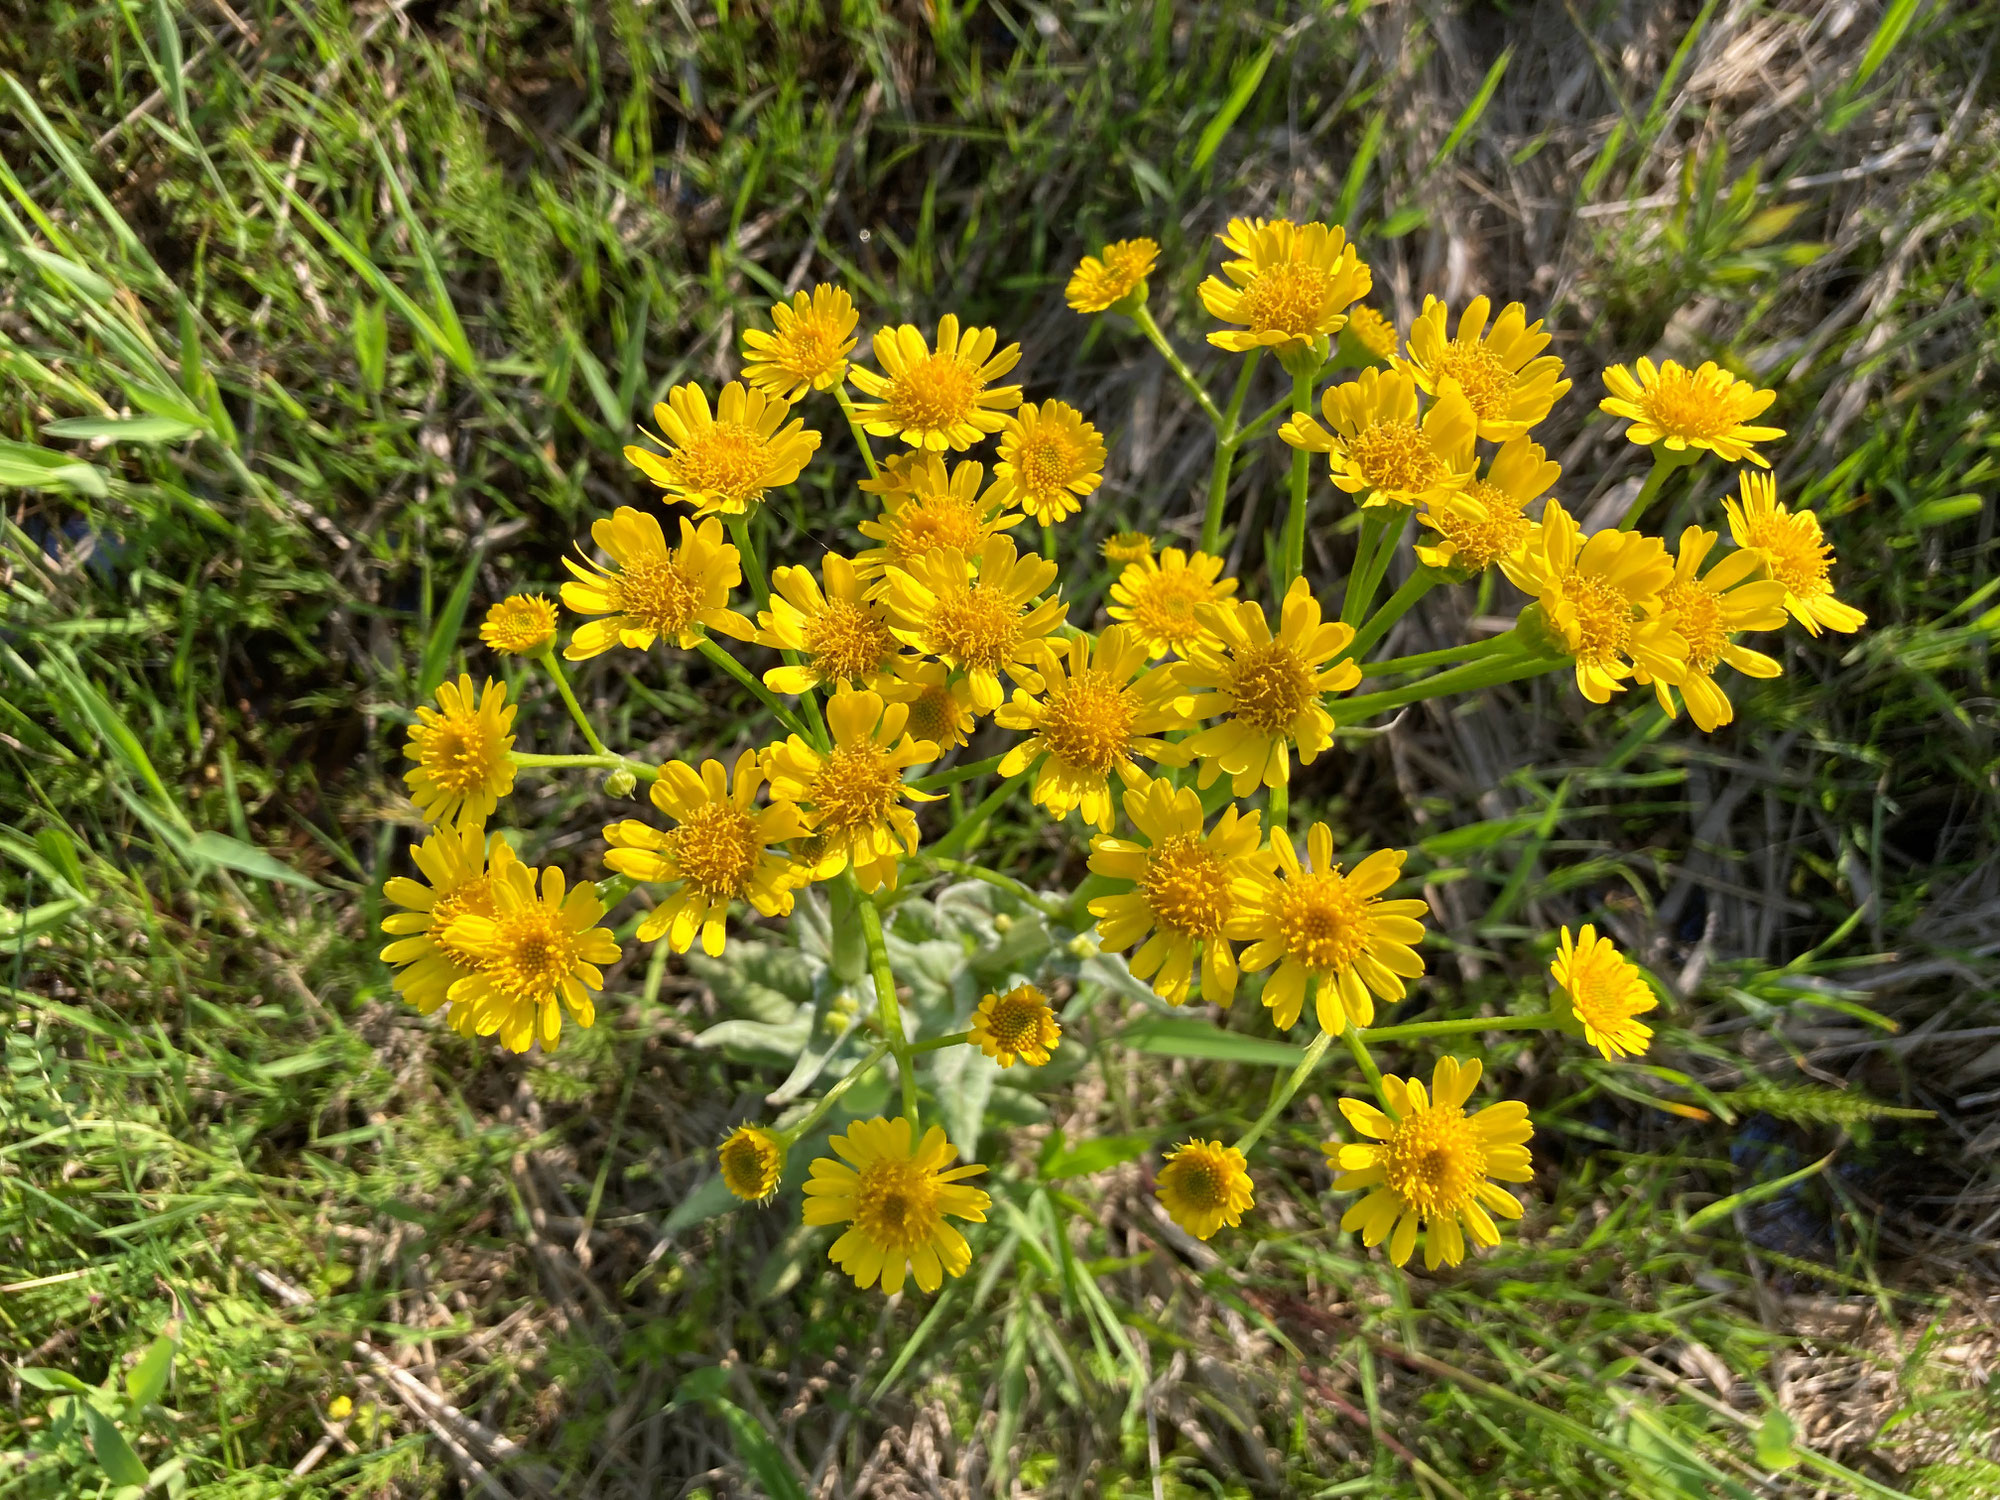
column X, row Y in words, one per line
column 653, row 589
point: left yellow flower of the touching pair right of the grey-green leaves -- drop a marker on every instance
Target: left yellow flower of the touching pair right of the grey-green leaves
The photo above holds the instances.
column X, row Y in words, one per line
column 1189, row 891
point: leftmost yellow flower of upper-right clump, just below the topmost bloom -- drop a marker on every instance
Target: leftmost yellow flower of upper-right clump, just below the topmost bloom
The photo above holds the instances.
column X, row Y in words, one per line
column 1381, row 451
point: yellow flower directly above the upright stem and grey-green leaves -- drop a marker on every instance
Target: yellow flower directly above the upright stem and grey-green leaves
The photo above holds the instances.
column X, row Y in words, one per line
column 855, row 797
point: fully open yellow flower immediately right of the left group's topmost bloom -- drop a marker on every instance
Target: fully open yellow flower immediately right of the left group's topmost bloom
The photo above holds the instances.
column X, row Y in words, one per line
column 937, row 399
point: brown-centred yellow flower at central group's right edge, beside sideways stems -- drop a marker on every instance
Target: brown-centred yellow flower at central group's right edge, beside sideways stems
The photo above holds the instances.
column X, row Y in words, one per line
column 1267, row 689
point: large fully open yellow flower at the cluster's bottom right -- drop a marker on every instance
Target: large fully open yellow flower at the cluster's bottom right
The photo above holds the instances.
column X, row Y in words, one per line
column 1431, row 1165
